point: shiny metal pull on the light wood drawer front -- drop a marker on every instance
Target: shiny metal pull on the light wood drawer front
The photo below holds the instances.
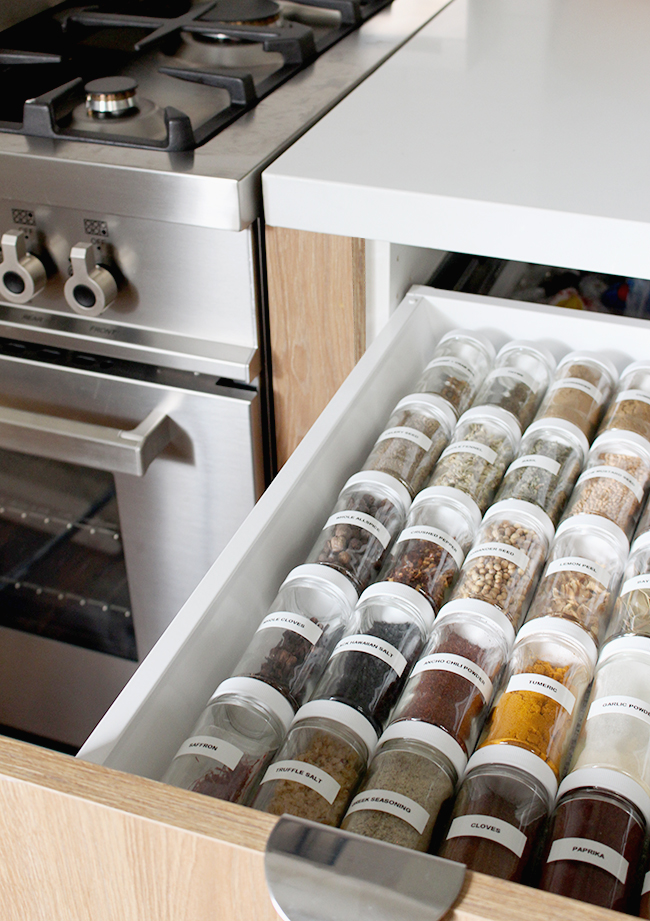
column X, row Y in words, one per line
column 317, row 873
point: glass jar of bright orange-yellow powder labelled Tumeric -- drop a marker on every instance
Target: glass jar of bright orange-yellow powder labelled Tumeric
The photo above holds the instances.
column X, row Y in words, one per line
column 550, row 668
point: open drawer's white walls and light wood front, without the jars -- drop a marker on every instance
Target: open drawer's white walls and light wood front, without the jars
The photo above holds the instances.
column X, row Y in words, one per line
column 98, row 837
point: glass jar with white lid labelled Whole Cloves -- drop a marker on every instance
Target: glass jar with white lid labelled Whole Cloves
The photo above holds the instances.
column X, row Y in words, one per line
column 308, row 617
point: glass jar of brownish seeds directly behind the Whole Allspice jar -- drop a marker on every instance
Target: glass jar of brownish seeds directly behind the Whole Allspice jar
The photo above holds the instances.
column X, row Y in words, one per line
column 418, row 430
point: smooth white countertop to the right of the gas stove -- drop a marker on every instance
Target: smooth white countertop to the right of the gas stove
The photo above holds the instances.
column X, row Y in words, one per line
column 510, row 128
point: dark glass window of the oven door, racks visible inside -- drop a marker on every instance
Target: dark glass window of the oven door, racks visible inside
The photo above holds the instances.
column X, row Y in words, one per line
column 62, row 571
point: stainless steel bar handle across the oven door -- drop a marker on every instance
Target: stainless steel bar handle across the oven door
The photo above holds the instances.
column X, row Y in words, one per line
column 98, row 446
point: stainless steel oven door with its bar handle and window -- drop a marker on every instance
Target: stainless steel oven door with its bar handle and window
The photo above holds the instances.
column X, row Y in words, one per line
column 116, row 494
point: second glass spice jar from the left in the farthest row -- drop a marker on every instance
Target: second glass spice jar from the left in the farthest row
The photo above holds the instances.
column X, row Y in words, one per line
column 522, row 371
